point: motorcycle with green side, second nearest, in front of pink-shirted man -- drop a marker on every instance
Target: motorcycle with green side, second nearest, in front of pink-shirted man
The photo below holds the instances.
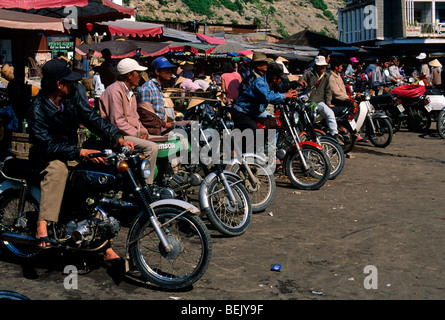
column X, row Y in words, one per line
column 222, row 195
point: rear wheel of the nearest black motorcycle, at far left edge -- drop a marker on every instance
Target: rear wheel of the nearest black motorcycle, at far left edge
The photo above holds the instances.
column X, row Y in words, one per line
column 9, row 202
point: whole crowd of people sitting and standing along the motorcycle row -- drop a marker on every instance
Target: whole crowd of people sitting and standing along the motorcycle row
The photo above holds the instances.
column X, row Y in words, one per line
column 131, row 107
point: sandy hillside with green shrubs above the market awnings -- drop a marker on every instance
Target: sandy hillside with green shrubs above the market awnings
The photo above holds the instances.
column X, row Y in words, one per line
column 284, row 17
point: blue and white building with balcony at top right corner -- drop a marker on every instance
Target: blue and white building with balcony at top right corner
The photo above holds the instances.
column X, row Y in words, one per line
column 392, row 22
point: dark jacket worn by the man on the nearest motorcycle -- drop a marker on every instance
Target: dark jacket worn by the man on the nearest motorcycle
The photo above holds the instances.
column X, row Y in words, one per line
column 53, row 133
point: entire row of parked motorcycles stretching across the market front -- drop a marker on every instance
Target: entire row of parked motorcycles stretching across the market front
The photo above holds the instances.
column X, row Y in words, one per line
column 168, row 241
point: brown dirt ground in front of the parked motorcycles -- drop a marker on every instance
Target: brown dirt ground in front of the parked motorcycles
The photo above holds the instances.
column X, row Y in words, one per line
column 374, row 233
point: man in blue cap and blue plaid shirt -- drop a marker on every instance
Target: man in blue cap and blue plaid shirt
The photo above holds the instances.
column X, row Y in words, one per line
column 151, row 91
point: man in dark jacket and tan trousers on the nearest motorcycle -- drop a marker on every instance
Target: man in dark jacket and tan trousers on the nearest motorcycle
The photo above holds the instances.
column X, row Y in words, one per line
column 54, row 119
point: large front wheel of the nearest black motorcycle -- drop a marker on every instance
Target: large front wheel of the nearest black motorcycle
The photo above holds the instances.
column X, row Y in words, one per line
column 190, row 257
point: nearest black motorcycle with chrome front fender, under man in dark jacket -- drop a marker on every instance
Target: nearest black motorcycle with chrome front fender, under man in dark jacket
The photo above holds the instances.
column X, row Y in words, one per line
column 167, row 242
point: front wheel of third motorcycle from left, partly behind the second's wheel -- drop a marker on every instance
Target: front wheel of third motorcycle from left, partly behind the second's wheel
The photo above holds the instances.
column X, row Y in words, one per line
column 262, row 194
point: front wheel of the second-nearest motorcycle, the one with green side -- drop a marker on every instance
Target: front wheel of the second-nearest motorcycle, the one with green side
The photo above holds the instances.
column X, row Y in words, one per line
column 226, row 219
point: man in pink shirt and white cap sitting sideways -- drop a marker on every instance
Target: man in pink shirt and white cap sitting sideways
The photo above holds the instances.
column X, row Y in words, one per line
column 118, row 104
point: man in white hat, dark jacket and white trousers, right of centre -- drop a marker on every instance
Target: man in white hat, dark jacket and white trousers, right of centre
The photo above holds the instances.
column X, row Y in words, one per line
column 318, row 80
